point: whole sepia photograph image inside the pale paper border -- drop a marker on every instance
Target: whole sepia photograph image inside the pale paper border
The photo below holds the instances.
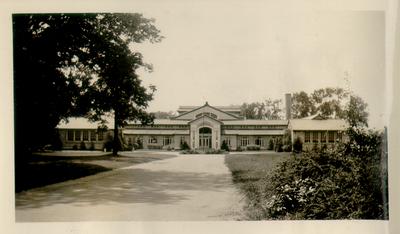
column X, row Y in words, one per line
column 235, row 113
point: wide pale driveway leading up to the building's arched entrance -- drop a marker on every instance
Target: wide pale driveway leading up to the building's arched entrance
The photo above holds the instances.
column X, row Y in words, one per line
column 187, row 187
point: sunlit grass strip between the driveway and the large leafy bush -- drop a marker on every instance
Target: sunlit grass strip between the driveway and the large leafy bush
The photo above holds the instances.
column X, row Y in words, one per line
column 248, row 172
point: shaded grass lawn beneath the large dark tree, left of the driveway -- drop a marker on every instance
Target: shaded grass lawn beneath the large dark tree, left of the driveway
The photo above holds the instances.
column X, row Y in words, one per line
column 39, row 170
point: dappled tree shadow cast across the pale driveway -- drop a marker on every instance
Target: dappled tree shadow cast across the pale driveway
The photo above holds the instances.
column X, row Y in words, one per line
column 124, row 186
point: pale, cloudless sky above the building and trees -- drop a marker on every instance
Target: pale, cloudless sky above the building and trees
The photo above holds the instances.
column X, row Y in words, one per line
column 233, row 53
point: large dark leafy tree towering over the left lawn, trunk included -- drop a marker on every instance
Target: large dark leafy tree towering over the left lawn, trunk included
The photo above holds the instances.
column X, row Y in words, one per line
column 77, row 65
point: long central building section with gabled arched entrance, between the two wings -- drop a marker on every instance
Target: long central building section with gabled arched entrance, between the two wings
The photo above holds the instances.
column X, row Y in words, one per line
column 205, row 127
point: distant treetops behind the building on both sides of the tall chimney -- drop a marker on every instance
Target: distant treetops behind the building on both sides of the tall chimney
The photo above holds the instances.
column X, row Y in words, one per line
column 328, row 102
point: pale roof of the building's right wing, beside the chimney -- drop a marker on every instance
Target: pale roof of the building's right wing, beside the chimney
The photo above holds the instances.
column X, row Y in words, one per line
column 318, row 125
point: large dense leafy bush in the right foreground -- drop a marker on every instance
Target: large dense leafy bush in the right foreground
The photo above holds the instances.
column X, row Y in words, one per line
column 343, row 182
